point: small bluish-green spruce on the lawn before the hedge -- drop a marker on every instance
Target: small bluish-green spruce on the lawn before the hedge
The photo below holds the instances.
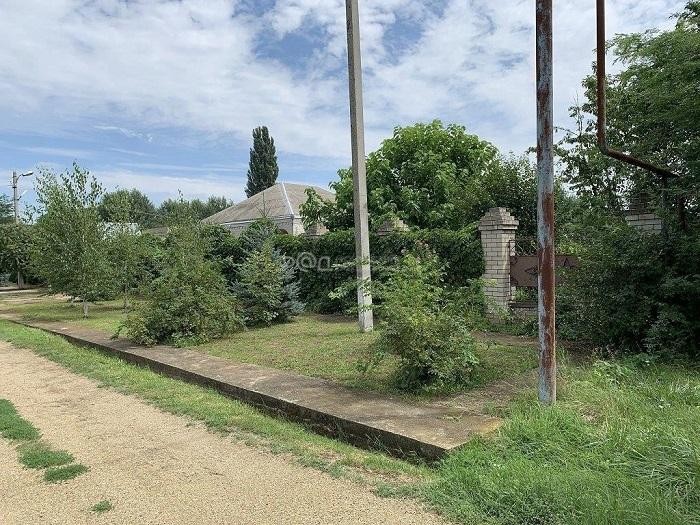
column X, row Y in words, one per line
column 267, row 287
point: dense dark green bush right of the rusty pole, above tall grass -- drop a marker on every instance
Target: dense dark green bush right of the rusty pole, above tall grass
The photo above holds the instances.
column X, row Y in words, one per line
column 635, row 291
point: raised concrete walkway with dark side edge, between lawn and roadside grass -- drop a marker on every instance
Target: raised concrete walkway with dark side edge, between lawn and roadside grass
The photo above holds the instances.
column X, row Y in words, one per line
column 428, row 429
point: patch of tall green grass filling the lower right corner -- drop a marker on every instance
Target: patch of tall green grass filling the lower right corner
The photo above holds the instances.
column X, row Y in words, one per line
column 621, row 446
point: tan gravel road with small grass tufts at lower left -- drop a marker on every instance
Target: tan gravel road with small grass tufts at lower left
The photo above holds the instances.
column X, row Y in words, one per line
column 157, row 468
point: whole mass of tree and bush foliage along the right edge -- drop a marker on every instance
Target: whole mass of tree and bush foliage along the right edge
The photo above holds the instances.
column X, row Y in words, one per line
column 638, row 292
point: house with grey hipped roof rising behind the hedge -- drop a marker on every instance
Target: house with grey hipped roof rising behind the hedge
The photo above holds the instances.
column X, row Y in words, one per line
column 279, row 203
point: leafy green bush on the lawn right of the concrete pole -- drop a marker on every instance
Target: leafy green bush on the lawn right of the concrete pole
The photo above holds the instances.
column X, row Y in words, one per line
column 421, row 326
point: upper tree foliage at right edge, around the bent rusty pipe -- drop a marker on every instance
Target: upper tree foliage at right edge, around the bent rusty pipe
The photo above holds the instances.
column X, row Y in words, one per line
column 652, row 114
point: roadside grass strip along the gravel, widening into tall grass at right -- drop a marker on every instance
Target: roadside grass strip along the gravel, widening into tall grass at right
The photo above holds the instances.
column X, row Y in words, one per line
column 620, row 447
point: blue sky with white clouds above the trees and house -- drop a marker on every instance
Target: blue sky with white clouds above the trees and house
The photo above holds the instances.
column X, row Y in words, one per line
column 162, row 95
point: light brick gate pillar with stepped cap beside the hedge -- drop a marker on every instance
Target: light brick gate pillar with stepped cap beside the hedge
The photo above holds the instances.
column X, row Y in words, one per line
column 498, row 229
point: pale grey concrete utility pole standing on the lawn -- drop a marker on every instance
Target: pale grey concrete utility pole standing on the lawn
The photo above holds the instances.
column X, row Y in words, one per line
column 357, row 131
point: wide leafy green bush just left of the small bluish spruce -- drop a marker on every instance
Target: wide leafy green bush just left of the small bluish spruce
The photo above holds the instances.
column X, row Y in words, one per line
column 189, row 302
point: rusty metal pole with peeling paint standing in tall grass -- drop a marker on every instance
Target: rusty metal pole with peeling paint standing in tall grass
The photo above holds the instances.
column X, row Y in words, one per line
column 545, row 204
